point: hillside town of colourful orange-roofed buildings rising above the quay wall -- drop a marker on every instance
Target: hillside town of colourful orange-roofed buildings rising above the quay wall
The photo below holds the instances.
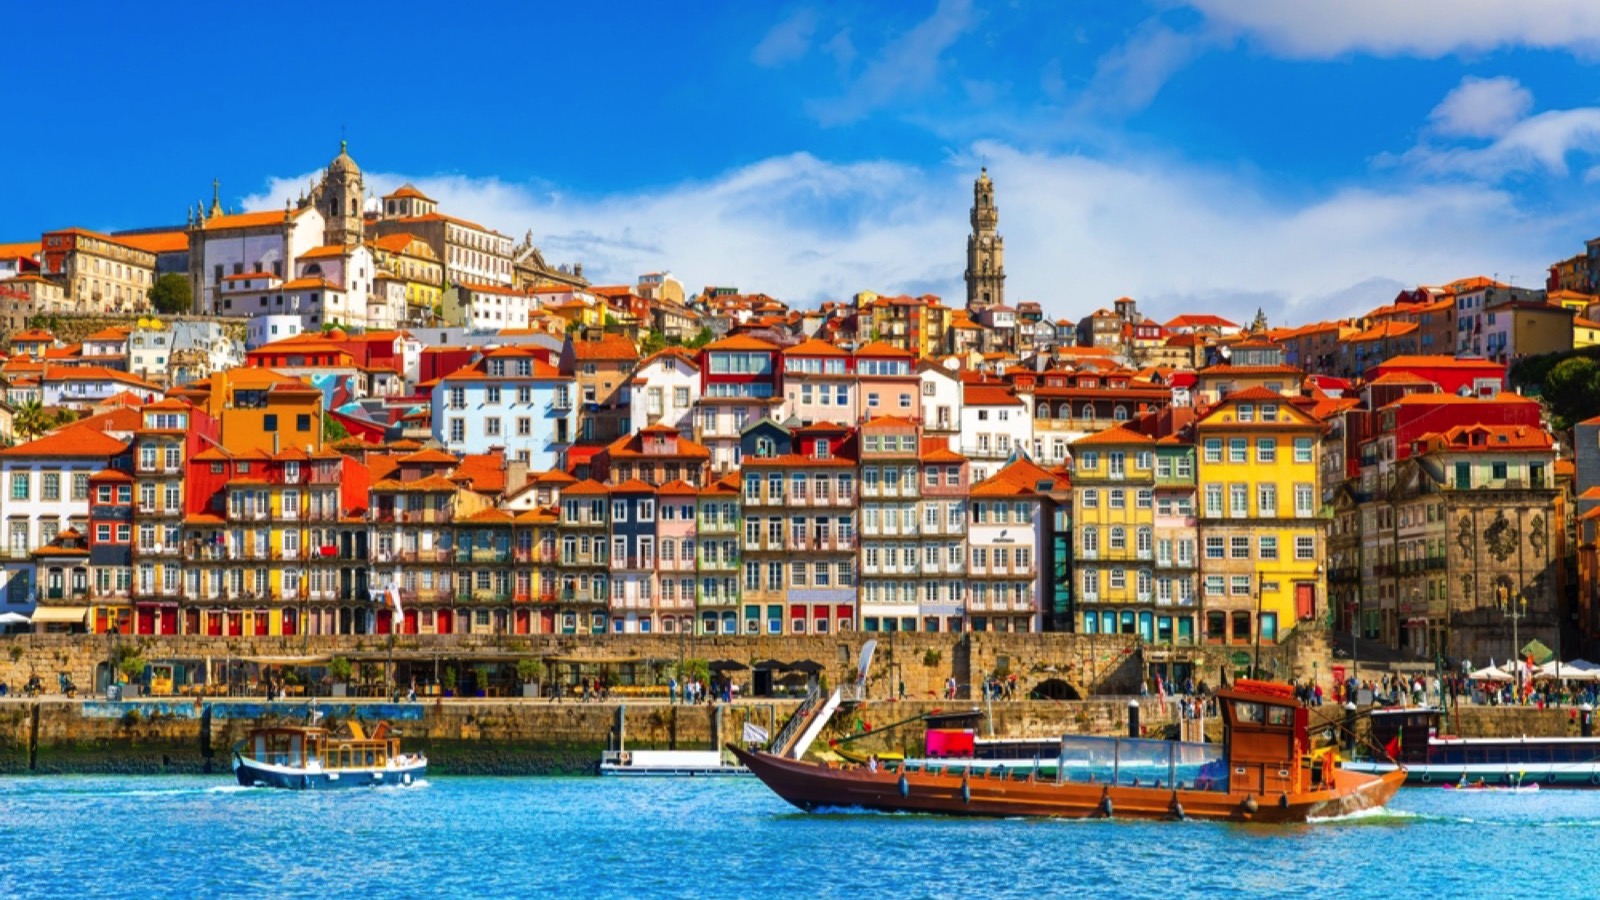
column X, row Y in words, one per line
column 372, row 417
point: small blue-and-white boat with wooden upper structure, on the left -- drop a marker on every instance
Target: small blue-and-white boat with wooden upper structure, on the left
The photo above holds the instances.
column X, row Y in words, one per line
column 310, row 758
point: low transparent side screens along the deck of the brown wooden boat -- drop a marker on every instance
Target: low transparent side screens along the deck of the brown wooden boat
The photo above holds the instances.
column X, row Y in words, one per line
column 1118, row 763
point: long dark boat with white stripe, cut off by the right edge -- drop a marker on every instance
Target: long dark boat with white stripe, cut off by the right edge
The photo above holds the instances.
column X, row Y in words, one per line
column 1431, row 758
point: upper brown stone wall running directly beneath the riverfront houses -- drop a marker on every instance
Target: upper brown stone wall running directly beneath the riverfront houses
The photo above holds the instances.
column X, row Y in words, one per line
column 1082, row 665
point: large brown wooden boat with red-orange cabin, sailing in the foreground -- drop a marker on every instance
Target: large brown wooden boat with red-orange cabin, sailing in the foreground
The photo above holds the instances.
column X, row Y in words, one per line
column 1263, row 771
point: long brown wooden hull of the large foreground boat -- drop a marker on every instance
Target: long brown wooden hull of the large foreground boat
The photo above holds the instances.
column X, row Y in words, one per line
column 814, row 787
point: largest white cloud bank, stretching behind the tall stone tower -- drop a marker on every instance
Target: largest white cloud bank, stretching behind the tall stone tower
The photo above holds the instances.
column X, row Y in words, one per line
column 1079, row 233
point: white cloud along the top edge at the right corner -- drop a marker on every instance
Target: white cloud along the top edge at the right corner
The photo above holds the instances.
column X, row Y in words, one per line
column 1319, row 30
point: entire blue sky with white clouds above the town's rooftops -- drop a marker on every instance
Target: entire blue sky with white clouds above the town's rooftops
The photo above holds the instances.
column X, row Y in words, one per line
column 1198, row 156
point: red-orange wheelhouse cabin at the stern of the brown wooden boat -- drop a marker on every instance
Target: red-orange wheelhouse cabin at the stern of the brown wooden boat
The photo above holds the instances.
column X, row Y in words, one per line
column 1265, row 736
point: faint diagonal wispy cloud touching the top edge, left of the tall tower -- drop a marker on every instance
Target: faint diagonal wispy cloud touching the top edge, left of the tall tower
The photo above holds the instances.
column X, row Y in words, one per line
column 905, row 66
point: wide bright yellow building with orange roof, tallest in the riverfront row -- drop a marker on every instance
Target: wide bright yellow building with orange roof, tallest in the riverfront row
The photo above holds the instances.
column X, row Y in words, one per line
column 1262, row 537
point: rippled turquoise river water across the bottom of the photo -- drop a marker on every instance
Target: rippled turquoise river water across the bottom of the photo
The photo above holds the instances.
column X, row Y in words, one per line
column 167, row 837
